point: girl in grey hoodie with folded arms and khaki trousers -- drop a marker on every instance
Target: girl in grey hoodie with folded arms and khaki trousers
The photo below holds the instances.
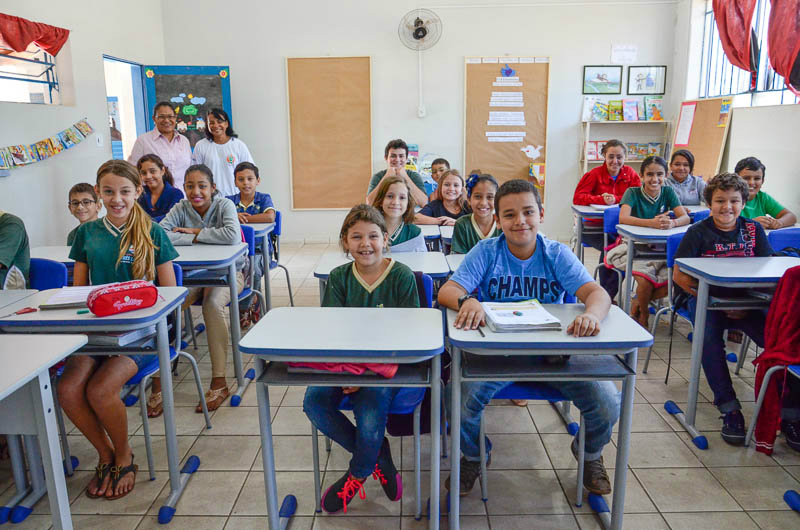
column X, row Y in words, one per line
column 205, row 216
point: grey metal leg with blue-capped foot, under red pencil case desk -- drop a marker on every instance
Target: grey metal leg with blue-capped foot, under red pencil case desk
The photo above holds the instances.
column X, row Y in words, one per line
column 177, row 479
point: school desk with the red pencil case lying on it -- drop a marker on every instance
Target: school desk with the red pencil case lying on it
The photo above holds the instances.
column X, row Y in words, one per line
column 70, row 321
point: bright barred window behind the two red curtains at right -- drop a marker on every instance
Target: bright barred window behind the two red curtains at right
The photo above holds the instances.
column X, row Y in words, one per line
column 718, row 77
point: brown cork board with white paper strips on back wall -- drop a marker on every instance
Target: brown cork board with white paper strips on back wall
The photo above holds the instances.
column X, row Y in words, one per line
column 505, row 159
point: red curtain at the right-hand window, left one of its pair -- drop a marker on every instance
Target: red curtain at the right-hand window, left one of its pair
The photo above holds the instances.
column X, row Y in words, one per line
column 734, row 18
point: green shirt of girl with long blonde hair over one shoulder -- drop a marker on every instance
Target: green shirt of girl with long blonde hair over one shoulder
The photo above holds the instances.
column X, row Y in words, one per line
column 97, row 245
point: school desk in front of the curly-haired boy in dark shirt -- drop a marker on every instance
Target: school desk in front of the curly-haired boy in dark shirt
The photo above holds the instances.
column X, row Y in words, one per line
column 721, row 272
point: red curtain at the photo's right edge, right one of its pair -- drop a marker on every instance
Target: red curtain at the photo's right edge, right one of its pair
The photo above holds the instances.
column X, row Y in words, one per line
column 783, row 41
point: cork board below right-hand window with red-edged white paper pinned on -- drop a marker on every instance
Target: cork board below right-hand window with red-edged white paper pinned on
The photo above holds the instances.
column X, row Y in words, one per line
column 702, row 128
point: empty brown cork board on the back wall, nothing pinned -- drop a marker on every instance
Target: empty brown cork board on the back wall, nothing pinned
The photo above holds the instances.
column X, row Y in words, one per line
column 330, row 131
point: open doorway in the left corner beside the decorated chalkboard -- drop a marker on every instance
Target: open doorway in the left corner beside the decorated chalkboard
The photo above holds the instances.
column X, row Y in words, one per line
column 126, row 108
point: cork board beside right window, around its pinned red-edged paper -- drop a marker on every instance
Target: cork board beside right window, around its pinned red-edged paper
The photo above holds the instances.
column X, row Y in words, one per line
column 708, row 135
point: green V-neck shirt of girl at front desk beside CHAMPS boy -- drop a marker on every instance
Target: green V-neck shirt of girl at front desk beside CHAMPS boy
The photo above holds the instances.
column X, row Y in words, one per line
column 397, row 287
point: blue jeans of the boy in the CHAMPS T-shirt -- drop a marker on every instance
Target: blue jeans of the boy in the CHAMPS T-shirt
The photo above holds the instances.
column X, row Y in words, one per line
column 598, row 401
